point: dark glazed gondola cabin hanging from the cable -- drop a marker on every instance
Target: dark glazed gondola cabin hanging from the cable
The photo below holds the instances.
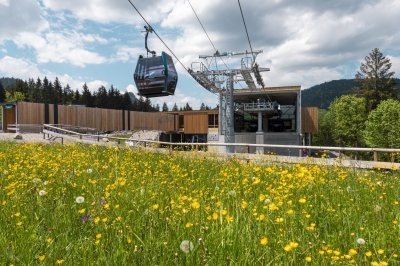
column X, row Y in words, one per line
column 155, row 76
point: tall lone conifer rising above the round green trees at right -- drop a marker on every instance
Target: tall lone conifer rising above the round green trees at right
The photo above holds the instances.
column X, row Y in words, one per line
column 375, row 79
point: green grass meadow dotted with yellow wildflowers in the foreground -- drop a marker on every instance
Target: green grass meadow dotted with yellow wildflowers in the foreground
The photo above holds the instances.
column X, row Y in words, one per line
column 92, row 205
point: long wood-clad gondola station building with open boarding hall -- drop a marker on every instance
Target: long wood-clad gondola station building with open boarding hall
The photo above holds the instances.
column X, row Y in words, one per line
column 251, row 124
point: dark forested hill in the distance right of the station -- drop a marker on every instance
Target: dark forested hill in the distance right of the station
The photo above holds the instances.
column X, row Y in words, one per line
column 323, row 94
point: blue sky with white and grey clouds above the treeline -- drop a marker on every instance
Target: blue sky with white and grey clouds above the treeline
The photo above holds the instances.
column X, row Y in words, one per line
column 98, row 41
